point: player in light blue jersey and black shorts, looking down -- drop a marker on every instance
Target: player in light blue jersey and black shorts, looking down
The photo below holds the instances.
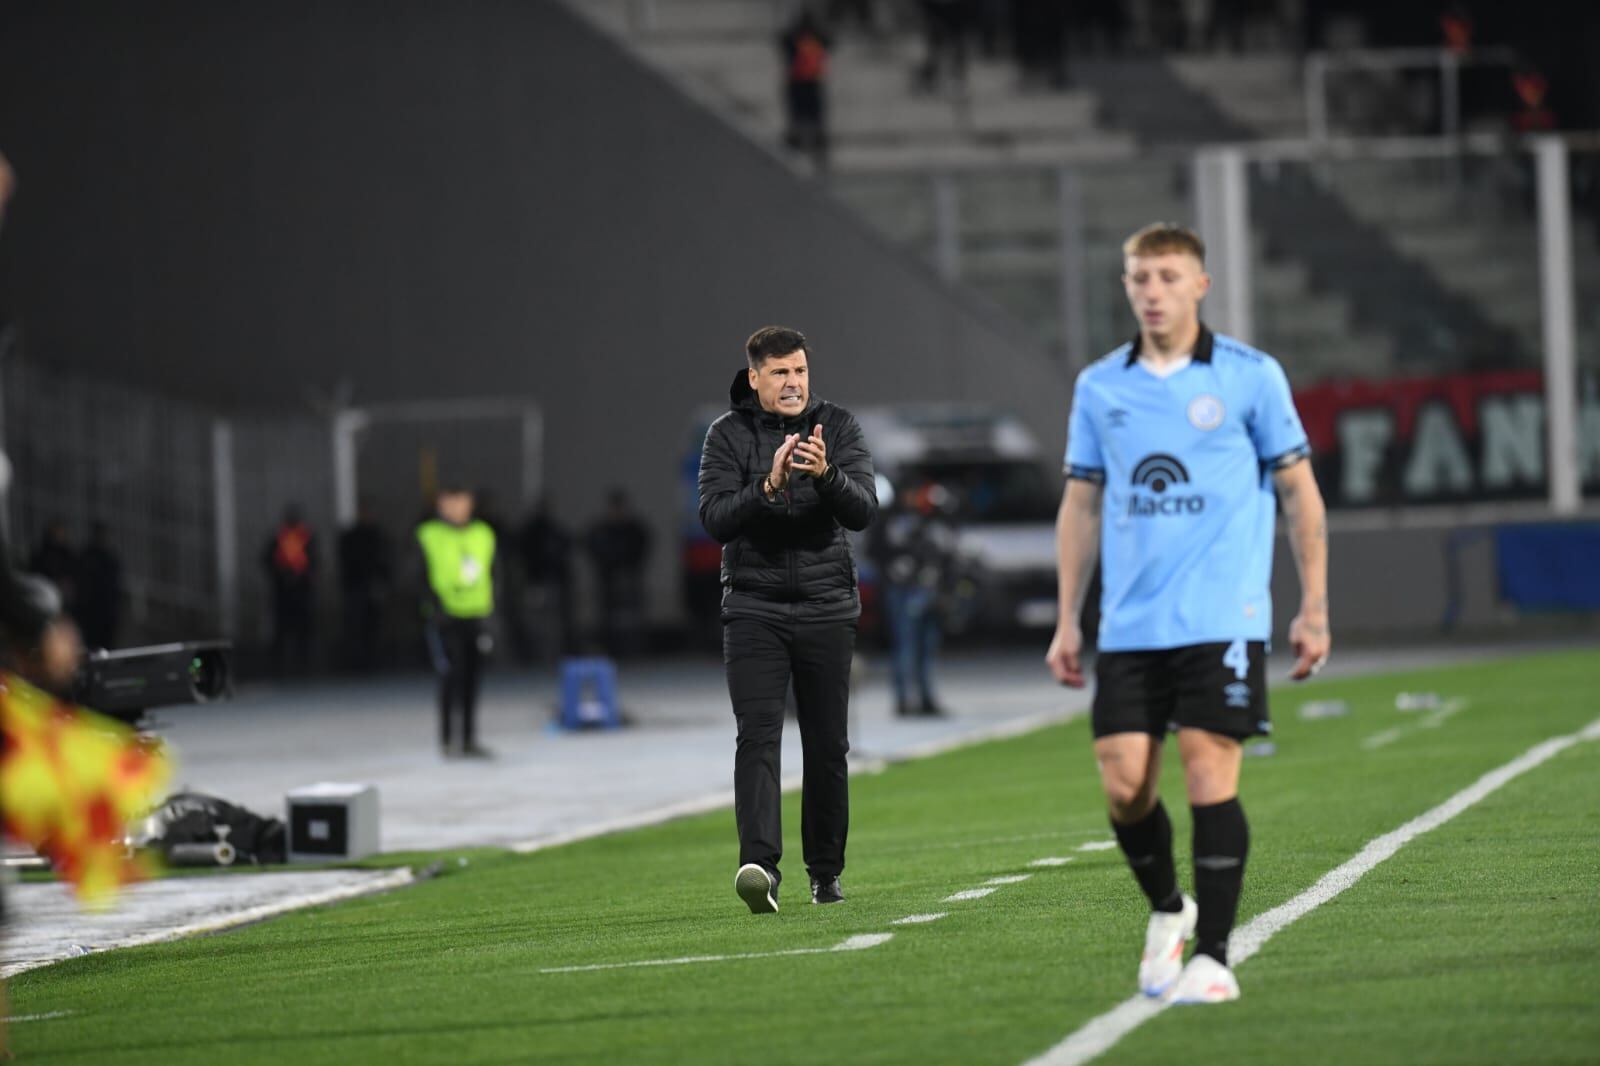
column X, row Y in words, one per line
column 1175, row 449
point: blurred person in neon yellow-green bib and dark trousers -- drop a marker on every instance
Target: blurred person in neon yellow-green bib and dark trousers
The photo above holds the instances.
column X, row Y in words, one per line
column 458, row 601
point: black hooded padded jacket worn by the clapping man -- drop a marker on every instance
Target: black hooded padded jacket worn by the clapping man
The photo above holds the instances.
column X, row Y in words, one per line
column 786, row 561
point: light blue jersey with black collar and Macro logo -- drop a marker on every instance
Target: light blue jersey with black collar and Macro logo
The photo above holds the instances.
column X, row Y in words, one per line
column 1186, row 463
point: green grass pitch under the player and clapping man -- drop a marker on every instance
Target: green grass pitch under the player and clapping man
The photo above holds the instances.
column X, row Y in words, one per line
column 1478, row 944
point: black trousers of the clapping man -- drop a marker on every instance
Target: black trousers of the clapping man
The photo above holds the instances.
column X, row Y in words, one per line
column 762, row 657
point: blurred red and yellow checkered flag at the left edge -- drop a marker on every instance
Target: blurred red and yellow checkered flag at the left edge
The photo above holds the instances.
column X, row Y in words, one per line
column 71, row 780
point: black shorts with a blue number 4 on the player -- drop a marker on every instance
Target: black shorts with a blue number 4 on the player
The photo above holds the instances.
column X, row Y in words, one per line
column 1215, row 687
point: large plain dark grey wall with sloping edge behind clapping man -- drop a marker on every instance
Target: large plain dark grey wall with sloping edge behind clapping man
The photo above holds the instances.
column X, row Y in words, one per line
column 270, row 207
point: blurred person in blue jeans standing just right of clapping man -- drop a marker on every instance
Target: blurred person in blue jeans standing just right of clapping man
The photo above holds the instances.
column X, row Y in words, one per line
column 914, row 548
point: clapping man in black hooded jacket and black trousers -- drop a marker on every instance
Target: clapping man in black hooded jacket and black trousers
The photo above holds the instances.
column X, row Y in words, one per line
column 783, row 478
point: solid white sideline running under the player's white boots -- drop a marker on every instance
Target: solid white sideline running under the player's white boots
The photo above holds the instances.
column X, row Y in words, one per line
column 1102, row 1033
